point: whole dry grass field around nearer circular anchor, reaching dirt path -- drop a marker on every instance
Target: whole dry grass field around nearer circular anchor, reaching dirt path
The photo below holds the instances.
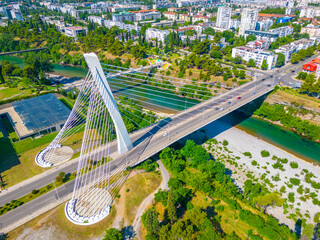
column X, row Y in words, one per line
column 54, row 225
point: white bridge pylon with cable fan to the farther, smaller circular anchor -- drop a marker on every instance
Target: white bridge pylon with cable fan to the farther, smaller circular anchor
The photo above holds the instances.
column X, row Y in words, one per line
column 56, row 153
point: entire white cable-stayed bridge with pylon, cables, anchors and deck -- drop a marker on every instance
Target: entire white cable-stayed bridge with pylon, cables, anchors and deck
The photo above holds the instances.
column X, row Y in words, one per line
column 102, row 115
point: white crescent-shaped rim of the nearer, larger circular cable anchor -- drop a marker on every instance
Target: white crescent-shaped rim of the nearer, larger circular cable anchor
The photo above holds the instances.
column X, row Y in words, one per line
column 75, row 218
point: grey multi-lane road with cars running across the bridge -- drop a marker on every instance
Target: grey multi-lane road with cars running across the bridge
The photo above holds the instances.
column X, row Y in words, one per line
column 147, row 142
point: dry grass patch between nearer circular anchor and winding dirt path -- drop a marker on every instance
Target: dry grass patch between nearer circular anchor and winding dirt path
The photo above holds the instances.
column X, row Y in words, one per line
column 140, row 186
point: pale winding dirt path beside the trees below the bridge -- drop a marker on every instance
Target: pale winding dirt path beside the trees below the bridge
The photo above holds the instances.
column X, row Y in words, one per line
column 148, row 200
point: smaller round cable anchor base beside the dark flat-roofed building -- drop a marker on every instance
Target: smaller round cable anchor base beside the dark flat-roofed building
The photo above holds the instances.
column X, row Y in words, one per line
column 59, row 155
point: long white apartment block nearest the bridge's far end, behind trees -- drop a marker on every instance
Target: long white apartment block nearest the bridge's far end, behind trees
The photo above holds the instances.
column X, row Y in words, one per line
column 257, row 55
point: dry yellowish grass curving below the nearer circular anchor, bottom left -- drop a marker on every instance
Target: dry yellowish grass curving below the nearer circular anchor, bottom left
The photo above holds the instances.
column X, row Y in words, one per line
column 63, row 228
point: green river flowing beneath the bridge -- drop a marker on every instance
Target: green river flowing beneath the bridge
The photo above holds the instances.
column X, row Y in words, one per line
column 264, row 130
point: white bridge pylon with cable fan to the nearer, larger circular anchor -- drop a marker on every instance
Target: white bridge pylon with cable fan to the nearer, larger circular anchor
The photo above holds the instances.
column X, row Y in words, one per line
column 96, row 181
